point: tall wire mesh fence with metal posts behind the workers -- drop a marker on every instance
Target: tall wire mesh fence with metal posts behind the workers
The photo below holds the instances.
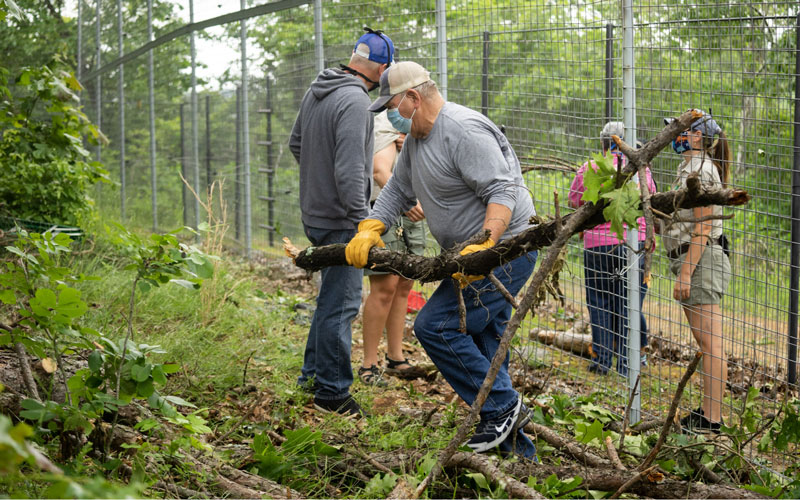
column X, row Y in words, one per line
column 551, row 74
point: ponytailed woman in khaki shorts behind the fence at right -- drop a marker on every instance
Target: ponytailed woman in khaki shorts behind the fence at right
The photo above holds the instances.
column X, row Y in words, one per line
column 694, row 244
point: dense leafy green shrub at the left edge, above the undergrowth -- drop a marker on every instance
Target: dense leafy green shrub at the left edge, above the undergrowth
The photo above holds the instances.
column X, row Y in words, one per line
column 45, row 172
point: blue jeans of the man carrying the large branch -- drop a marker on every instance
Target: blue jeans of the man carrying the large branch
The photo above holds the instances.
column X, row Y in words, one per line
column 464, row 360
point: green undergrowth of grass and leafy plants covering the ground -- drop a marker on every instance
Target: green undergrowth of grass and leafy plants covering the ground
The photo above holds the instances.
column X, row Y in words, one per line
column 227, row 358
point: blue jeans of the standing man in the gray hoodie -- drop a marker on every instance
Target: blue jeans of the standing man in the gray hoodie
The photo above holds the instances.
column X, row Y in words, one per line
column 326, row 361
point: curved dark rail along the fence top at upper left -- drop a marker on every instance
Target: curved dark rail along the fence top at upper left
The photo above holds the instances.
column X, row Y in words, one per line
column 258, row 10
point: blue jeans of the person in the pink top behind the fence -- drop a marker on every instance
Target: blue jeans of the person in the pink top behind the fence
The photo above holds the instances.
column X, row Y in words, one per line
column 607, row 299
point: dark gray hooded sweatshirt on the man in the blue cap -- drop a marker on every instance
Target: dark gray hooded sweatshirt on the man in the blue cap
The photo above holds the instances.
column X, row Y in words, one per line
column 332, row 141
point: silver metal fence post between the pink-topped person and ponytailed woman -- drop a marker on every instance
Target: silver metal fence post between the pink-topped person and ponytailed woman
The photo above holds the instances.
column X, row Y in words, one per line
column 633, row 275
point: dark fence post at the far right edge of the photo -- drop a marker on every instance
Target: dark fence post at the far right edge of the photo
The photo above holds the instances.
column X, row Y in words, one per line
column 795, row 264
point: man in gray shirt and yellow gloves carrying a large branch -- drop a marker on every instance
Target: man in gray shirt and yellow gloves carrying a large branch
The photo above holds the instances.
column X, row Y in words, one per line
column 465, row 174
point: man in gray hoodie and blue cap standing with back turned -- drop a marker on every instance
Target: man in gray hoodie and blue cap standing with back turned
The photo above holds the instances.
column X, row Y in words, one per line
column 332, row 141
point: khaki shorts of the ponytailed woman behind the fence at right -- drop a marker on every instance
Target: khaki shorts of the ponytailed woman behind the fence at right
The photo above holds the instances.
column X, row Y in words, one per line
column 711, row 276
